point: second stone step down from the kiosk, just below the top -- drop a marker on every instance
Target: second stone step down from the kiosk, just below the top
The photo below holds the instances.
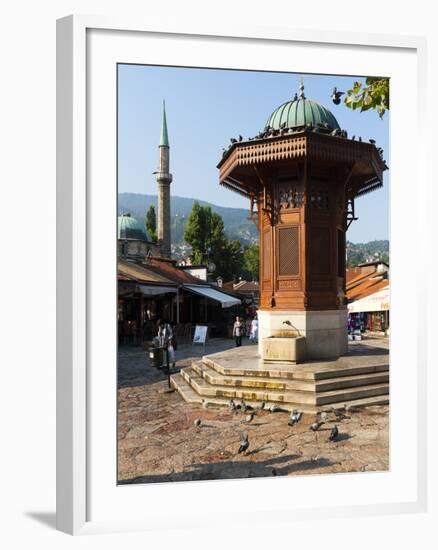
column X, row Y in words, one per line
column 217, row 379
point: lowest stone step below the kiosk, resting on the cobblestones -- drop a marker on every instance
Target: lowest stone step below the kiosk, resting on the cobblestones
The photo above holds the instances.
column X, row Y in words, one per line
column 190, row 396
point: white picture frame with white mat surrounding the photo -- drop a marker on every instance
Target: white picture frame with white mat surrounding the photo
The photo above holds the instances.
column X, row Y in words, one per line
column 88, row 500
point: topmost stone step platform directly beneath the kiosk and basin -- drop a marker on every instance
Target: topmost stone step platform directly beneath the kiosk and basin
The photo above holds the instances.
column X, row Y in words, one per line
column 305, row 371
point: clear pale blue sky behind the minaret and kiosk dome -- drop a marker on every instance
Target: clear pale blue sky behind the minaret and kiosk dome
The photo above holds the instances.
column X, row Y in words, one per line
column 205, row 108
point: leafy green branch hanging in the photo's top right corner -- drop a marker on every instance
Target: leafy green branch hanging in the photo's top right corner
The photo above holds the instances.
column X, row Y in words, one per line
column 374, row 95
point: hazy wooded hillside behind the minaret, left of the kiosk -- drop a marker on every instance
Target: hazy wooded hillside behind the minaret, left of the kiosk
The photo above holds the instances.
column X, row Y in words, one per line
column 236, row 221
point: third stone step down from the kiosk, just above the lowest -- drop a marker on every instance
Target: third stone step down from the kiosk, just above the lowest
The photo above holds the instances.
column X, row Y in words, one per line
column 206, row 390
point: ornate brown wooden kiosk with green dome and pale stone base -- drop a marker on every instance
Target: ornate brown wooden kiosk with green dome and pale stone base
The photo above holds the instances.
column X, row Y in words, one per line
column 301, row 175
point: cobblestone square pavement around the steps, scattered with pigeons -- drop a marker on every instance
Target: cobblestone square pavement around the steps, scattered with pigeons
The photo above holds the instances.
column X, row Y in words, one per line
column 159, row 442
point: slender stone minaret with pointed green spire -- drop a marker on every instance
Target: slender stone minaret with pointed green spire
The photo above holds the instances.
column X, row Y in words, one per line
column 164, row 178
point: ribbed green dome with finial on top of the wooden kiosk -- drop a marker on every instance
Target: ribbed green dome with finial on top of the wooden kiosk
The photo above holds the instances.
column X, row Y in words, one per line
column 301, row 111
